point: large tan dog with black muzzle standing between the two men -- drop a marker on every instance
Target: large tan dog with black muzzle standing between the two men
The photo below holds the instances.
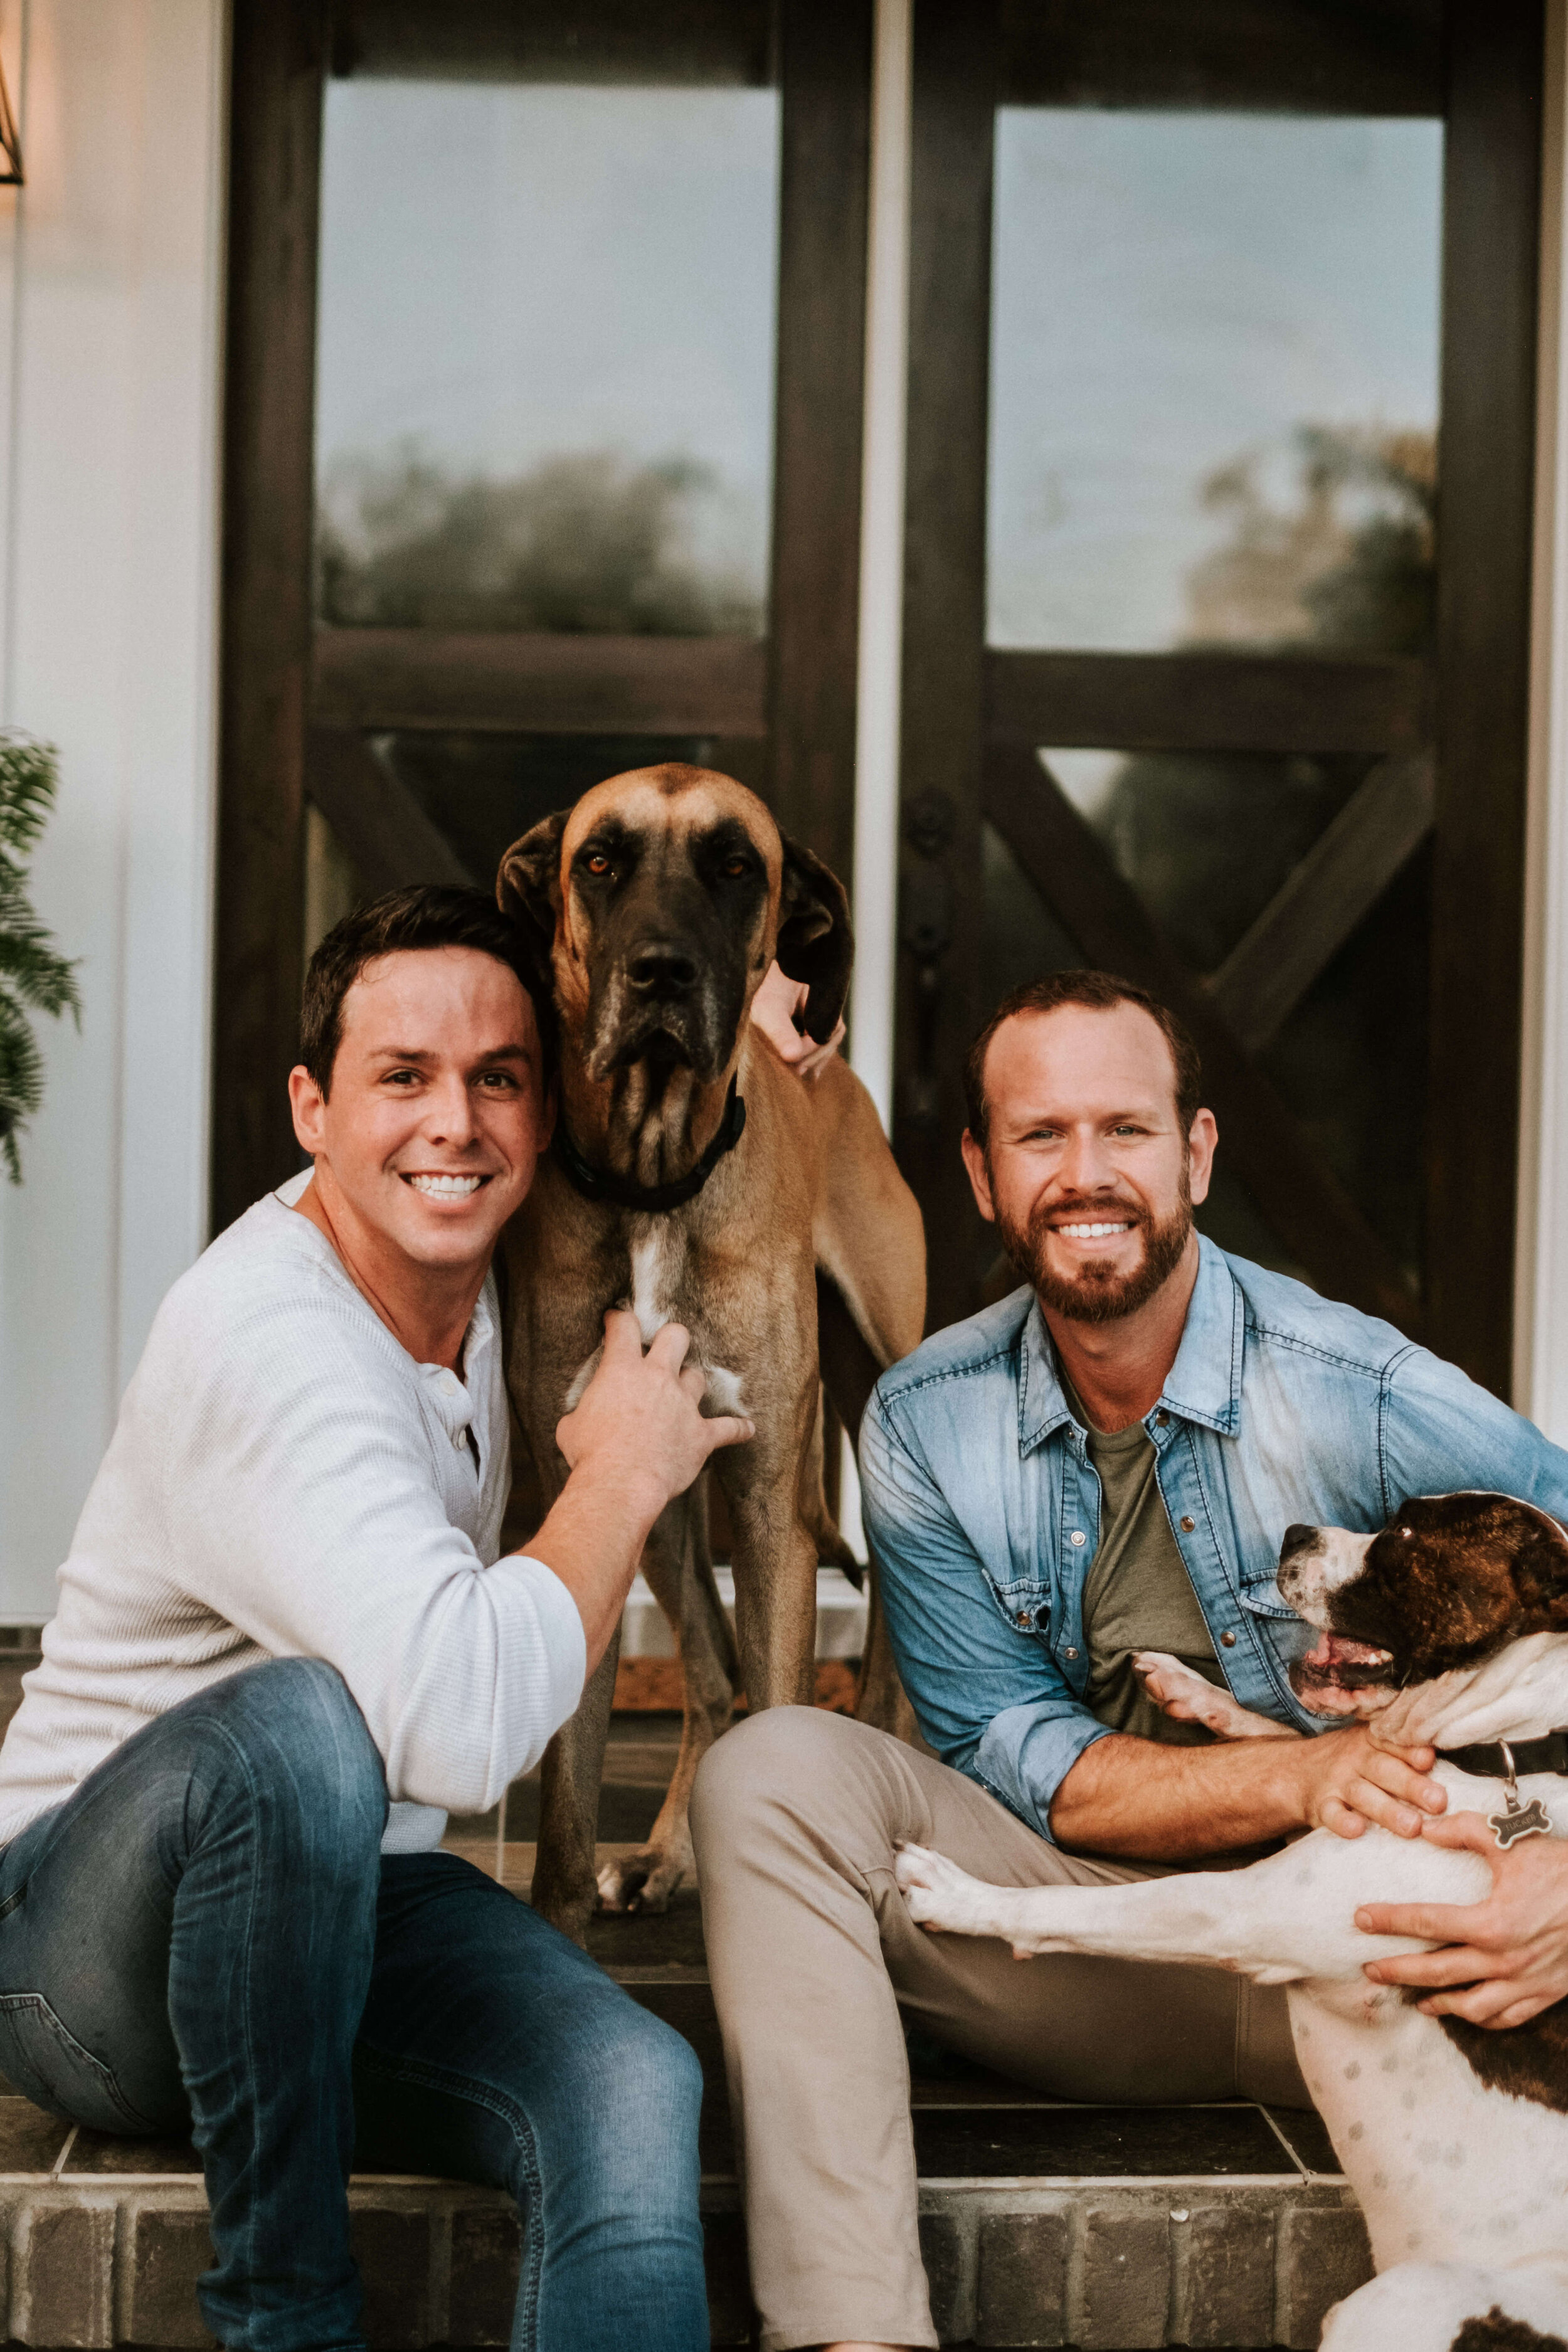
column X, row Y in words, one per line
column 699, row 1182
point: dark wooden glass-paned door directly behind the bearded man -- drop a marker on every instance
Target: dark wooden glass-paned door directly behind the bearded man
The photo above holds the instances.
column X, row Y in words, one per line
column 1217, row 601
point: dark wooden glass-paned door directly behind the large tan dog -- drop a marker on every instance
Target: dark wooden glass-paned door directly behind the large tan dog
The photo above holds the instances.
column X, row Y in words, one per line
column 542, row 457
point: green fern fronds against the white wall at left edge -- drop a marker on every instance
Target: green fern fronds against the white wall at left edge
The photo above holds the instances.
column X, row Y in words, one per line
column 34, row 975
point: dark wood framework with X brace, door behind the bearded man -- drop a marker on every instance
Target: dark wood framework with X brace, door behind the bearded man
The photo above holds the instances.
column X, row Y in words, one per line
column 972, row 721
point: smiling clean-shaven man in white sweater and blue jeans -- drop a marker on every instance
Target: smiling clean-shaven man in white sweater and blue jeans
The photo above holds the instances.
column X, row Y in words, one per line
column 286, row 1648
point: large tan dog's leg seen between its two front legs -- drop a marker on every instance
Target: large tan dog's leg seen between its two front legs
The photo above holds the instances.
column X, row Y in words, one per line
column 678, row 1568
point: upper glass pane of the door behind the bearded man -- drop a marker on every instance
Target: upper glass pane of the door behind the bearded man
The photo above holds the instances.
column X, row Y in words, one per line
column 1214, row 382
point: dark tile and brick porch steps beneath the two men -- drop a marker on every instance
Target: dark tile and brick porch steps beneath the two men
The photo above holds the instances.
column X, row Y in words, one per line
column 1043, row 2224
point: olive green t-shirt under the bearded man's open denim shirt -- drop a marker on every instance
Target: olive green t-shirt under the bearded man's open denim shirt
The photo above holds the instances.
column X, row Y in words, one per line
column 1137, row 1593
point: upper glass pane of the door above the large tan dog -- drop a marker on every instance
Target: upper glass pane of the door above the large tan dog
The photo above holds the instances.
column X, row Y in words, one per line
column 547, row 356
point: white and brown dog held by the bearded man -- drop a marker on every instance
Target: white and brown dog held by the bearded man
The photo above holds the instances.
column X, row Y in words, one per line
column 1449, row 1629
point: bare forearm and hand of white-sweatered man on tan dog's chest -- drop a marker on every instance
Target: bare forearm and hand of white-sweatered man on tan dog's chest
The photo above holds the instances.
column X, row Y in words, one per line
column 634, row 1443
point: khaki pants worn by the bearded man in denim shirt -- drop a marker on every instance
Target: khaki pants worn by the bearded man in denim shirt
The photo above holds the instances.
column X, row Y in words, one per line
column 815, row 1956
